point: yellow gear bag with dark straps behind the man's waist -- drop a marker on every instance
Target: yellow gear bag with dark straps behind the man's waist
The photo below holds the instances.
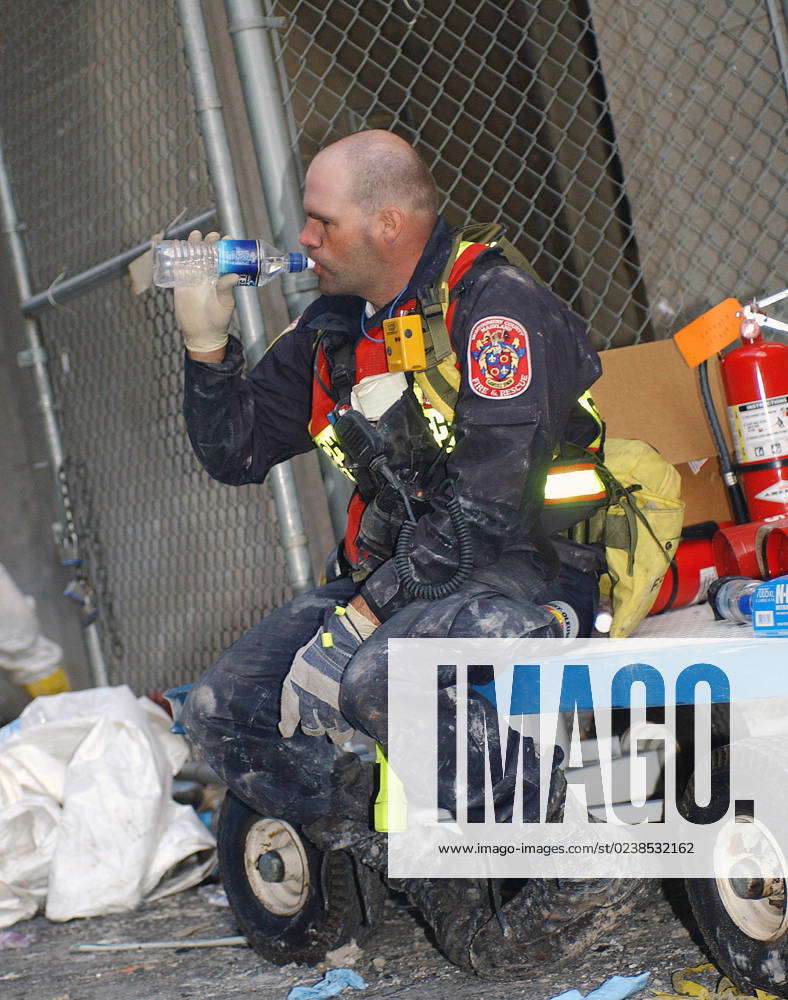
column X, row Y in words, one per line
column 640, row 528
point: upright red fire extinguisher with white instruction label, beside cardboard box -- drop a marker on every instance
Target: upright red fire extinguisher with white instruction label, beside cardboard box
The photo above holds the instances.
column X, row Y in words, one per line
column 755, row 377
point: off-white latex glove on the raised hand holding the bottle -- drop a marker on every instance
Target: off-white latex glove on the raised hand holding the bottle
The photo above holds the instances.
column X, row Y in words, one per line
column 203, row 312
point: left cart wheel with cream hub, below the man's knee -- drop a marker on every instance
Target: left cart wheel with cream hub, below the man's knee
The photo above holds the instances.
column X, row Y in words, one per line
column 291, row 901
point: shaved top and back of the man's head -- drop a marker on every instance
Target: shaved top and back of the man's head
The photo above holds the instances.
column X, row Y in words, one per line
column 381, row 170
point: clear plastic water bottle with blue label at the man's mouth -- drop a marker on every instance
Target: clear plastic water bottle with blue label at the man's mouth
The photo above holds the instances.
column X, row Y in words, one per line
column 178, row 263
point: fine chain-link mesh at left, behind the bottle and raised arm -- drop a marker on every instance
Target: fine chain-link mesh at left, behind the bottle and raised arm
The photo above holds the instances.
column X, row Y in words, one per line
column 100, row 135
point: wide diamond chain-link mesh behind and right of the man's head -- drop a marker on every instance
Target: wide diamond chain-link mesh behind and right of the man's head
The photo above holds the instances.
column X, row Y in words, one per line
column 632, row 150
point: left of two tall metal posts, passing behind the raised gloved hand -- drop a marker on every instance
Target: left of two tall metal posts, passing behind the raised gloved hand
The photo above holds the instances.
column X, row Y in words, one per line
column 209, row 110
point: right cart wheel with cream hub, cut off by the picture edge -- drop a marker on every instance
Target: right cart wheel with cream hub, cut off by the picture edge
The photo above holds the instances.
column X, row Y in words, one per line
column 743, row 916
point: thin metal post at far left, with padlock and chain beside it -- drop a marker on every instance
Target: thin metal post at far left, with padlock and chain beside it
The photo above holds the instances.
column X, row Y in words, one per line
column 12, row 229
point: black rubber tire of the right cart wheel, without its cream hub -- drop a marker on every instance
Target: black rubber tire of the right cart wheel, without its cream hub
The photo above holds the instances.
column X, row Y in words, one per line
column 747, row 962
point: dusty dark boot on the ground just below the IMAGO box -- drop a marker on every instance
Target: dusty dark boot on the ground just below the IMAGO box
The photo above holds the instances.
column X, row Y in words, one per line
column 556, row 920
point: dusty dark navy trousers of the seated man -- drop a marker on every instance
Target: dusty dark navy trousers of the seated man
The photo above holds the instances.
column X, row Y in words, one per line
column 232, row 712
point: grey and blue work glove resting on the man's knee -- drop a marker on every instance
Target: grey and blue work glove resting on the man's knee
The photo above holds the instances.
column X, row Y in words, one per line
column 310, row 693
